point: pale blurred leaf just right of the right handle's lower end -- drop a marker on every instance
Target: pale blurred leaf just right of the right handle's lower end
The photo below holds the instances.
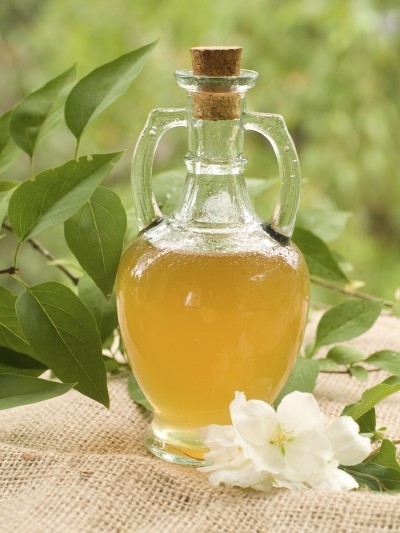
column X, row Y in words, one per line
column 327, row 224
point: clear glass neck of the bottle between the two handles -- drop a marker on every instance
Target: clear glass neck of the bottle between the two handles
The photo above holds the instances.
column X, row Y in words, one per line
column 215, row 193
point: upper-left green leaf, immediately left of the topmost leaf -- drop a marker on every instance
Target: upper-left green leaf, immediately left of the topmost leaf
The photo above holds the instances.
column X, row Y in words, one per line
column 40, row 112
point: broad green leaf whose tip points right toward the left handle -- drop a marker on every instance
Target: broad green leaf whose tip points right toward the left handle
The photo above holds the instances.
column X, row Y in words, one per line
column 56, row 194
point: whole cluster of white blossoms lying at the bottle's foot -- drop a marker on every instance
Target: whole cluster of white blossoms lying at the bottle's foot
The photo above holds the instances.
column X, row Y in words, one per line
column 290, row 447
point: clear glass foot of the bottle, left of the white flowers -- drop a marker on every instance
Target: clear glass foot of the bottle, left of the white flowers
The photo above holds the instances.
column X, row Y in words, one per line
column 174, row 451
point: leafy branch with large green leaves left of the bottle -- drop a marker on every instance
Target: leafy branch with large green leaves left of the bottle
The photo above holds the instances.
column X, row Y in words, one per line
column 48, row 326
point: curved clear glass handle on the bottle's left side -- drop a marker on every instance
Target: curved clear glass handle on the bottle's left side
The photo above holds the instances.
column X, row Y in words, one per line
column 158, row 123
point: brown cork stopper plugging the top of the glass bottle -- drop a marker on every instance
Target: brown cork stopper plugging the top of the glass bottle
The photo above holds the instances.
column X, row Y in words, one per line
column 214, row 103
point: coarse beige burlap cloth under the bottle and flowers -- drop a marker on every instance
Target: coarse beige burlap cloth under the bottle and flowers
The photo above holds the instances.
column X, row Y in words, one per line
column 70, row 465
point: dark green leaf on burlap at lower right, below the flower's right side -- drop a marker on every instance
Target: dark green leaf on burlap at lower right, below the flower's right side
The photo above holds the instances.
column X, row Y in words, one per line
column 374, row 476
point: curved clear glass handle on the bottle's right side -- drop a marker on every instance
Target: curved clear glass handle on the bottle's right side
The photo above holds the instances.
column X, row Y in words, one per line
column 273, row 127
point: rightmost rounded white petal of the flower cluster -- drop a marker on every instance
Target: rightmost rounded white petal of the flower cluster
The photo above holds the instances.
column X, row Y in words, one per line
column 349, row 448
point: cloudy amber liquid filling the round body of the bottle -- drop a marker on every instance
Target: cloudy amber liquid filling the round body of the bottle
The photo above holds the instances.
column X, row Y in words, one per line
column 197, row 328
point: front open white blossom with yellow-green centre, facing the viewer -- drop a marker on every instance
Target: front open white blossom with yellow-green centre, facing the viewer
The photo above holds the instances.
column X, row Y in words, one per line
column 291, row 441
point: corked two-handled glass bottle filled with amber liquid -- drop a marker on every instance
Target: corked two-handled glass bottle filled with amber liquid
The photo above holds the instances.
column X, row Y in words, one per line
column 211, row 299
